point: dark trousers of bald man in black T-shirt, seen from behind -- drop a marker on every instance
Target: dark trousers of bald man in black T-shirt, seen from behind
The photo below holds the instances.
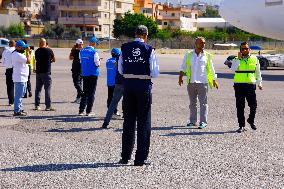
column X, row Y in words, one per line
column 43, row 79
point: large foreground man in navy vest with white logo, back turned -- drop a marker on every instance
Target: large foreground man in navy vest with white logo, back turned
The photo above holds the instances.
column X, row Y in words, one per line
column 138, row 64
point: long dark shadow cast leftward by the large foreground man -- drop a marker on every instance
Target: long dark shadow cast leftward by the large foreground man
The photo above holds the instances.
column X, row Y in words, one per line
column 61, row 167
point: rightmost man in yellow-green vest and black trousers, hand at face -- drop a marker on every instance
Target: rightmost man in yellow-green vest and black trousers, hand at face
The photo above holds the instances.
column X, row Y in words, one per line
column 247, row 77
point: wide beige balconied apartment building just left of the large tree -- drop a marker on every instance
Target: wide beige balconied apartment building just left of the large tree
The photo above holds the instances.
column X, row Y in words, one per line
column 93, row 17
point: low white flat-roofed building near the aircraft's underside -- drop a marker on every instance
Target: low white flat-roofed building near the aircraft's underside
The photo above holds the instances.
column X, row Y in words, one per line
column 210, row 24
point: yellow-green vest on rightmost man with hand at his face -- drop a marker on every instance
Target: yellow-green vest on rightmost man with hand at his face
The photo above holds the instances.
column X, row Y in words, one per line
column 246, row 72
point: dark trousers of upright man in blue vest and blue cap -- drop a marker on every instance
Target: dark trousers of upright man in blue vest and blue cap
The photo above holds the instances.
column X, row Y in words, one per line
column 89, row 90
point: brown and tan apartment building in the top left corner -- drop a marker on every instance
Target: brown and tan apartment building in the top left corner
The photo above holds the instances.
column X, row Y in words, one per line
column 30, row 12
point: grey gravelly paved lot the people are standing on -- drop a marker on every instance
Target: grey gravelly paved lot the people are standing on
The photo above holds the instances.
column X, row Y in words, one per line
column 61, row 150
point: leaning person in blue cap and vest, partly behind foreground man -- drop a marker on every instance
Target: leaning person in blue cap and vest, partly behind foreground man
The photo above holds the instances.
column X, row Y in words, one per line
column 118, row 87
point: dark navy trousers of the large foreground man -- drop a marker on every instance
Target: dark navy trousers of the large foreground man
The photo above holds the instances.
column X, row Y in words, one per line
column 136, row 106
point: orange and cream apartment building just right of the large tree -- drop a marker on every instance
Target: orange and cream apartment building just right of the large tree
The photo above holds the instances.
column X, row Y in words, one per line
column 168, row 16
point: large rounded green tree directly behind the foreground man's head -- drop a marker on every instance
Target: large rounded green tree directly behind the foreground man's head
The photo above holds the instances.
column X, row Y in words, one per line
column 126, row 25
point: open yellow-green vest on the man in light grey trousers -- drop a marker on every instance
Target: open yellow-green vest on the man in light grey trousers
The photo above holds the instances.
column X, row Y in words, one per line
column 208, row 68
